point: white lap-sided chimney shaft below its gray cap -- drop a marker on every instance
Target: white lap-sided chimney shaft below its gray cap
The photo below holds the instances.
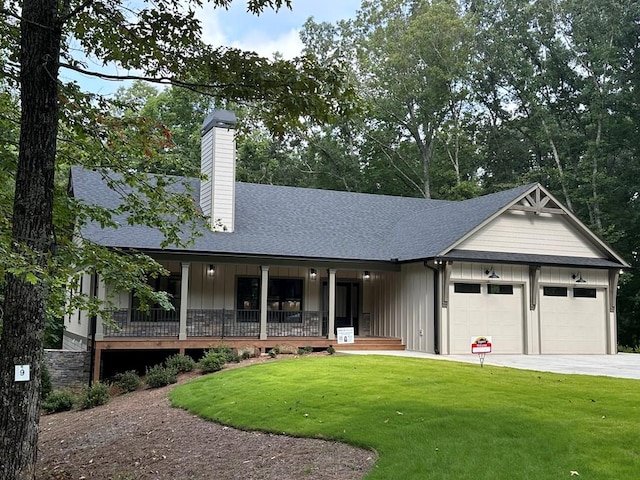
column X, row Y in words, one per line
column 217, row 192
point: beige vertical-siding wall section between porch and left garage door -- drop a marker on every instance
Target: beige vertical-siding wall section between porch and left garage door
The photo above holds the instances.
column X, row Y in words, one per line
column 417, row 307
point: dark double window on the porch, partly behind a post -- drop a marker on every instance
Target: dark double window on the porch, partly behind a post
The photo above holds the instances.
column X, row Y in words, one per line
column 284, row 299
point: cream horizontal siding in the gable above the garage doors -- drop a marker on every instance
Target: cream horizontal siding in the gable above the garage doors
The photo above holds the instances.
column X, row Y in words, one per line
column 519, row 232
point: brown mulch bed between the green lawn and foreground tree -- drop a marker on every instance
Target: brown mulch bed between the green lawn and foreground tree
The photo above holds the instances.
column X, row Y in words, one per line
column 139, row 436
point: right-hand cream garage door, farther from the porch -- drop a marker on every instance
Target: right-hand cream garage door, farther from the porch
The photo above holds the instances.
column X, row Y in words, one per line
column 573, row 320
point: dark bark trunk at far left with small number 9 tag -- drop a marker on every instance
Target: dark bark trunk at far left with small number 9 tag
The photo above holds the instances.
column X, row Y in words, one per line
column 24, row 305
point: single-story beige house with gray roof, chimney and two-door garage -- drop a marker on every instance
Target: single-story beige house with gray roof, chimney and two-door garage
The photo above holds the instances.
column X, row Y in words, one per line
column 290, row 265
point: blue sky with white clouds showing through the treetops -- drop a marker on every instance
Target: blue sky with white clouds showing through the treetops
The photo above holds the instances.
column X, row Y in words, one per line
column 265, row 34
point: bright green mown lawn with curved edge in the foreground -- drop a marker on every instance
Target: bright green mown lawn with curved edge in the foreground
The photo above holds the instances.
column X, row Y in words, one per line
column 431, row 419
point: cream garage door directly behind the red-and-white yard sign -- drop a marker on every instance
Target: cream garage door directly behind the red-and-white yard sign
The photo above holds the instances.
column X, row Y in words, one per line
column 486, row 309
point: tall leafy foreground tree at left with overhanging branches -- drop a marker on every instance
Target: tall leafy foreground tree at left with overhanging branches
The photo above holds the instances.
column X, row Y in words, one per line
column 162, row 40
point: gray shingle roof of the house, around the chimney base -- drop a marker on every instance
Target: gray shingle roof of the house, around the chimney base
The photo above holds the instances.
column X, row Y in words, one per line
column 290, row 222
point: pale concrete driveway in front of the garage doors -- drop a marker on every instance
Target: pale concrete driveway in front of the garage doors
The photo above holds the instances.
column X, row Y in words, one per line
column 622, row 365
